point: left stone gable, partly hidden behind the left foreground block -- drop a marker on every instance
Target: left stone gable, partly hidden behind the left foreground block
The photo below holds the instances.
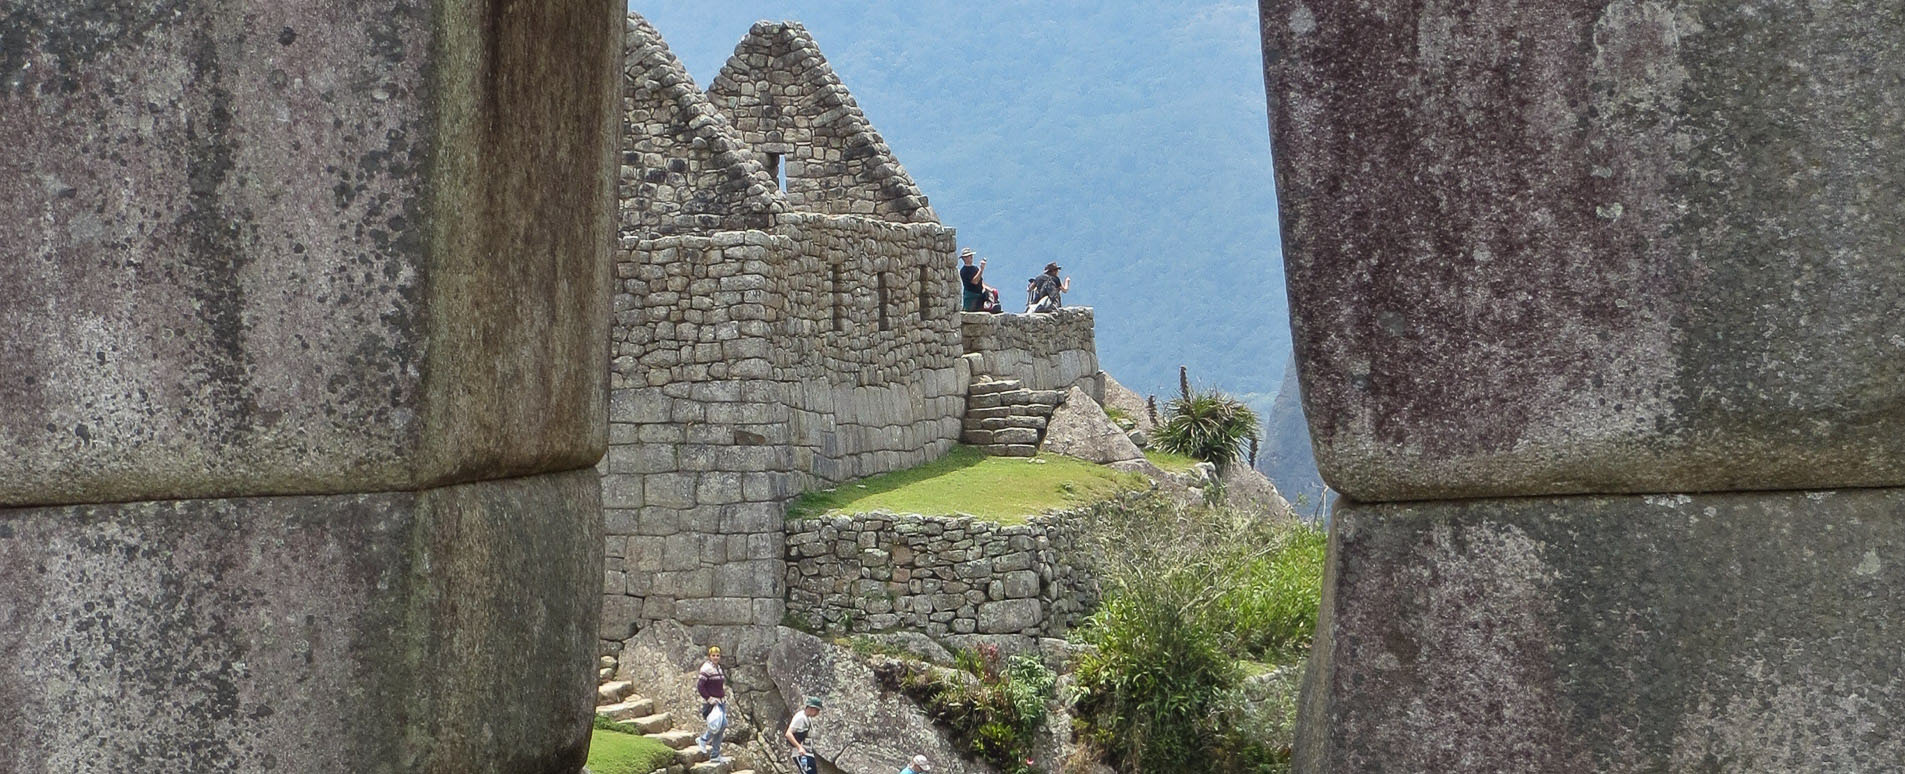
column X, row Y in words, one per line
column 683, row 169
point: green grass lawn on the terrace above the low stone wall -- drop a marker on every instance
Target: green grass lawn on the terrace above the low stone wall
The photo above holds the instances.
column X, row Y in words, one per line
column 969, row 481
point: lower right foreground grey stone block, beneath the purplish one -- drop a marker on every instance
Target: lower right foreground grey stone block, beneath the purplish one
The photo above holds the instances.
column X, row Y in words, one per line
column 1634, row 634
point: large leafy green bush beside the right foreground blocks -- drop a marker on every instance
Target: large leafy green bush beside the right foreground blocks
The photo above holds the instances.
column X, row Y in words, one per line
column 1195, row 598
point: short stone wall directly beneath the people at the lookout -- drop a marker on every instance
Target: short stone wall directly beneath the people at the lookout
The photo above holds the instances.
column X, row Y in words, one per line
column 1045, row 352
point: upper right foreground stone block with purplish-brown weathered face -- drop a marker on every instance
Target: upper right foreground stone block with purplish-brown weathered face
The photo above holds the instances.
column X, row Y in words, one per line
column 1594, row 247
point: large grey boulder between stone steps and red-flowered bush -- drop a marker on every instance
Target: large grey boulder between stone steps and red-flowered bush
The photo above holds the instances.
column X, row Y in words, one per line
column 864, row 729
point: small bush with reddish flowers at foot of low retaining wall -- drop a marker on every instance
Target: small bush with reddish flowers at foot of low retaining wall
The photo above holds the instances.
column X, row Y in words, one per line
column 992, row 708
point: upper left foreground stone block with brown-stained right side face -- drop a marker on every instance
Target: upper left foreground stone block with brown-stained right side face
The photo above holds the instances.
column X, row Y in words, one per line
column 302, row 247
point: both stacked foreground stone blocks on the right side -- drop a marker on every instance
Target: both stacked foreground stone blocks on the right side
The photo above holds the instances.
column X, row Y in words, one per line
column 1567, row 283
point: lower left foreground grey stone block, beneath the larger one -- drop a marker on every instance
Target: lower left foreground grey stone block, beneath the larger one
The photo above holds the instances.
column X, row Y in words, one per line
column 441, row 632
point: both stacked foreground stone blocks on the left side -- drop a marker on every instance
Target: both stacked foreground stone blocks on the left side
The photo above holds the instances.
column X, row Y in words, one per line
column 302, row 384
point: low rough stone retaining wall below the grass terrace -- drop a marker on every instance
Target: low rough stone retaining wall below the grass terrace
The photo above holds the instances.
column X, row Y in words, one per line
column 953, row 579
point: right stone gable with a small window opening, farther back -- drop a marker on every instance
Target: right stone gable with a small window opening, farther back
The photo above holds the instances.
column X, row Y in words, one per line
column 788, row 104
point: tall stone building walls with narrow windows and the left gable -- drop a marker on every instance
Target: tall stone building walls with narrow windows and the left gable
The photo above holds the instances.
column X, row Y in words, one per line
column 759, row 352
